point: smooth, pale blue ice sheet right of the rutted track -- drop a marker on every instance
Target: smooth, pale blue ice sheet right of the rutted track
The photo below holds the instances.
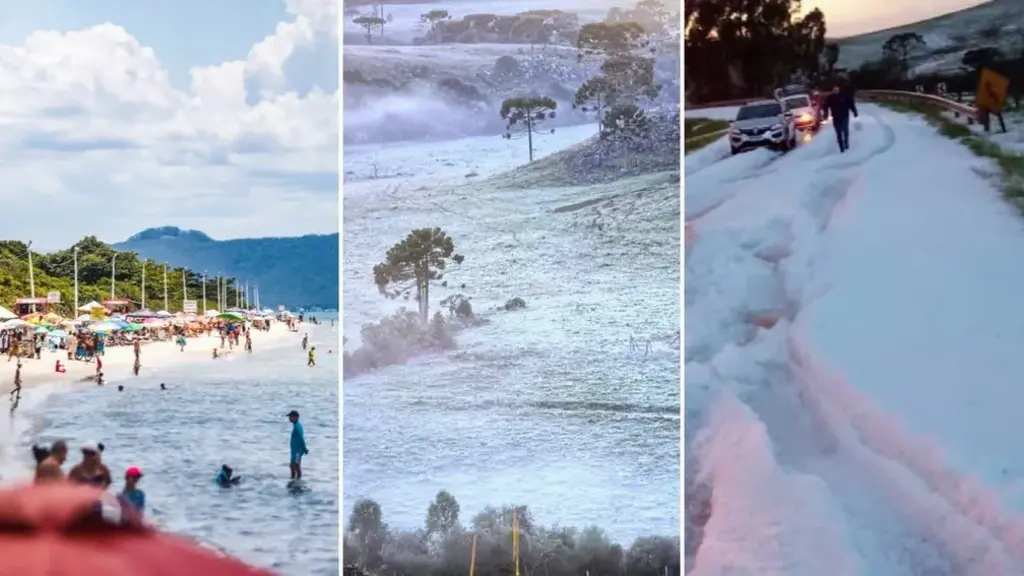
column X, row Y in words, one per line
column 922, row 318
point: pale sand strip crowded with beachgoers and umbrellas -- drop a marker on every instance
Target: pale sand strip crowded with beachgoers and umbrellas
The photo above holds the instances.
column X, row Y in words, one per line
column 118, row 361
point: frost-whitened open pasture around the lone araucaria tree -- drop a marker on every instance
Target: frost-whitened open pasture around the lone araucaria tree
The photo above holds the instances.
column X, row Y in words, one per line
column 548, row 407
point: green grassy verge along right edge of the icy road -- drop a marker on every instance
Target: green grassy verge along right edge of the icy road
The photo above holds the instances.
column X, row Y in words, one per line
column 1011, row 164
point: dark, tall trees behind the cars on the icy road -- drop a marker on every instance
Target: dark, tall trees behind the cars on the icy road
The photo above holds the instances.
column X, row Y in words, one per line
column 750, row 47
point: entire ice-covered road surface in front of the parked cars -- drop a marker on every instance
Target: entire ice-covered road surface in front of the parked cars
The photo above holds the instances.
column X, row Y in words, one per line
column 855, row 359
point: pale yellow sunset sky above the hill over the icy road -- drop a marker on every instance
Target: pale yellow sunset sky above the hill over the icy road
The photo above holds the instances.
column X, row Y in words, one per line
column 846, row 18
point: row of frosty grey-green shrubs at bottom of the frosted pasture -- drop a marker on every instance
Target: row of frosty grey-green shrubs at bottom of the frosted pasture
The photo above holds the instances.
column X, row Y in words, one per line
column 444, row 548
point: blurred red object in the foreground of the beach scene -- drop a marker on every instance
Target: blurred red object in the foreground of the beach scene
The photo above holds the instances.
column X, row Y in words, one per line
column 68, row 530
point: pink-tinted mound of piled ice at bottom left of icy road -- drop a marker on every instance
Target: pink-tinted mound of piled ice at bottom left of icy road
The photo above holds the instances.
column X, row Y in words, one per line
column 764, row 521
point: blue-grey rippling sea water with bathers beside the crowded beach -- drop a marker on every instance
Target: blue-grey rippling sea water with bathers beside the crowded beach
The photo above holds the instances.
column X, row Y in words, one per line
column 232, row 412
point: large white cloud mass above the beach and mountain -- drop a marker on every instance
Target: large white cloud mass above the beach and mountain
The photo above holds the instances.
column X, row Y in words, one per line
column 95, row 138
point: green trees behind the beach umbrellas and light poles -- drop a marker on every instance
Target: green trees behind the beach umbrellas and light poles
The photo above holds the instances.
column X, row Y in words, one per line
column 56, row 273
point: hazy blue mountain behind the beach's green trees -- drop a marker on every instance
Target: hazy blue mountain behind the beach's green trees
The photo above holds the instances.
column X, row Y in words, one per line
column 298, row 272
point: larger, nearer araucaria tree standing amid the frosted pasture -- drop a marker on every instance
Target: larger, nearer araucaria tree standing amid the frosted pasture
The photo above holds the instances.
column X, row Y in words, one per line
column 414, row 263
